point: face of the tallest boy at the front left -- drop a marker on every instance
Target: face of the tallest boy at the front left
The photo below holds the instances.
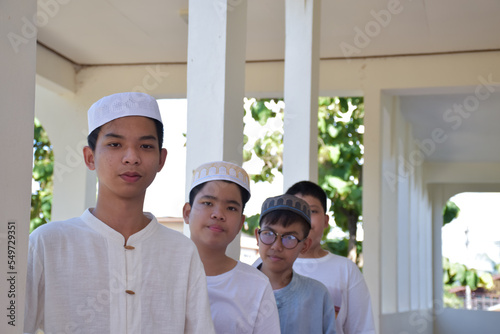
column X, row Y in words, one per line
column 126, row 157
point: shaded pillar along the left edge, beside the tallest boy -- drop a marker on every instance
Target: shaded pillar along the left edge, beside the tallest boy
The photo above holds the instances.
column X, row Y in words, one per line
column 17, row 99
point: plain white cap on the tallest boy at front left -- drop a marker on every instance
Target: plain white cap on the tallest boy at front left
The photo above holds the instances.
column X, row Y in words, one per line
column 121, row 105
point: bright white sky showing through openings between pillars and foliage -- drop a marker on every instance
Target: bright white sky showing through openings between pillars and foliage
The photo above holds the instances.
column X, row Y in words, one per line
column 480, row 212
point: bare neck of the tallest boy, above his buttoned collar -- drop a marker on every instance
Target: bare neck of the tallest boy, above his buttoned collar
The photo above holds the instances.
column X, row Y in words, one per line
column 125, row 217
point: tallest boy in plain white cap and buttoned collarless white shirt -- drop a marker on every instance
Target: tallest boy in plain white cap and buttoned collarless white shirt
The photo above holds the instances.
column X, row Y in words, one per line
column 115, row 269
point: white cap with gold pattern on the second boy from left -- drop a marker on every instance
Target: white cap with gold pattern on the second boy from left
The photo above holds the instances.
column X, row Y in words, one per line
column 221, row 171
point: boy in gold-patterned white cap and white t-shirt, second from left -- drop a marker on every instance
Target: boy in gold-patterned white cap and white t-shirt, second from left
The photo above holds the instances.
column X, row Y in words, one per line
column 241, row 298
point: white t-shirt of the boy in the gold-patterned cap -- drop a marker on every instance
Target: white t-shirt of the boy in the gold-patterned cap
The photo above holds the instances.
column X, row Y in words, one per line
column 242, row 301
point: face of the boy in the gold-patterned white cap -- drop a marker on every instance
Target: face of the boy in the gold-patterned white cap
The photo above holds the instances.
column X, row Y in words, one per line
column 216, row 216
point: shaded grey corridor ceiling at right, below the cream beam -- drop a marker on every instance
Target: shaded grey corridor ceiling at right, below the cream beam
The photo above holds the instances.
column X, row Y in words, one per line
column 467, row 126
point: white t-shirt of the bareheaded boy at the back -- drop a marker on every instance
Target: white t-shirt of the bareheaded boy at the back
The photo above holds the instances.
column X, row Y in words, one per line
column 346, row 286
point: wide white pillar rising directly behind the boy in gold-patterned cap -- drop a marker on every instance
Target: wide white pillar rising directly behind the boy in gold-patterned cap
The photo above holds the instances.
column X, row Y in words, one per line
column 215, row 86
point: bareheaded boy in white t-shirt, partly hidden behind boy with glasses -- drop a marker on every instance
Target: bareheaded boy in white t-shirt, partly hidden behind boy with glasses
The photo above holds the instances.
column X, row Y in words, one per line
column 340, row 275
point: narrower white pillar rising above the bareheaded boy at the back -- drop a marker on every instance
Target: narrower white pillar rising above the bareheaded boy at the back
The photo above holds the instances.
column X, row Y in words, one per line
column 300, row 152
